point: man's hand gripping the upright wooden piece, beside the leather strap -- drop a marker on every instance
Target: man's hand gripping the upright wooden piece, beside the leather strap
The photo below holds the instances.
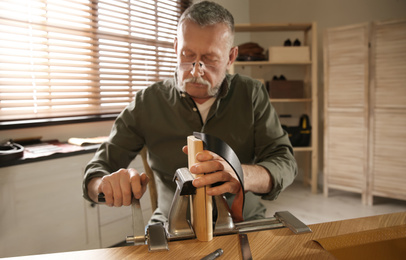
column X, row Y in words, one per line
column 218, row 170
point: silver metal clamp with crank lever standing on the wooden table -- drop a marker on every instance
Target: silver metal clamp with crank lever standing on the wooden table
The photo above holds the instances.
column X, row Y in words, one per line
column 178, row 226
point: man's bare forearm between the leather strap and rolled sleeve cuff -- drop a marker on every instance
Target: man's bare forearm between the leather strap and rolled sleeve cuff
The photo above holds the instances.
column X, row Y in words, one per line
column 257, row 179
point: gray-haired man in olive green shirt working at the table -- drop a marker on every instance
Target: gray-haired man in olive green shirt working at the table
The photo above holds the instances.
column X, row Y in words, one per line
column 201, row 97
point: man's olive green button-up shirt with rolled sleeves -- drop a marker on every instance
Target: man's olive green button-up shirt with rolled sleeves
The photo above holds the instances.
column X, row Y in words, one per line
column 161, row 117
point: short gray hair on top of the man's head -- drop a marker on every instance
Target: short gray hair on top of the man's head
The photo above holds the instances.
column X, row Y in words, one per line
column 208, row 13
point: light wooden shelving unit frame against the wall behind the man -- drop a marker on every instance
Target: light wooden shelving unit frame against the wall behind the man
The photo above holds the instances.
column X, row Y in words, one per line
column 310, row 102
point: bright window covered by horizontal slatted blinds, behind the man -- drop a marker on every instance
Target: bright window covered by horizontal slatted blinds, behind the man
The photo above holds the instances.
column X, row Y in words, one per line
column 82, row 57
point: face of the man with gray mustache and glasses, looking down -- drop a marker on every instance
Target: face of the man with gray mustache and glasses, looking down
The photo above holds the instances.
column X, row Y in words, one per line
column 203, row 55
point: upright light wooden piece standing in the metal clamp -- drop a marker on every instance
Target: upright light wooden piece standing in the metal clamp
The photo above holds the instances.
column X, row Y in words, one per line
column 202, row 208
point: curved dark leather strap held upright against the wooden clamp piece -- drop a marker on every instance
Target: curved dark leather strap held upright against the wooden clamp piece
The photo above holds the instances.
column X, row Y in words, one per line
column 219, row 147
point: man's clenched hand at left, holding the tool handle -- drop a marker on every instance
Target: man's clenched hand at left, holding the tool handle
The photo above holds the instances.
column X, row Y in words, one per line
column 119, row 186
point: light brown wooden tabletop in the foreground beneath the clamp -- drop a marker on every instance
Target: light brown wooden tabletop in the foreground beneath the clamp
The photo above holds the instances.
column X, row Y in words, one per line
column 269, row 244
